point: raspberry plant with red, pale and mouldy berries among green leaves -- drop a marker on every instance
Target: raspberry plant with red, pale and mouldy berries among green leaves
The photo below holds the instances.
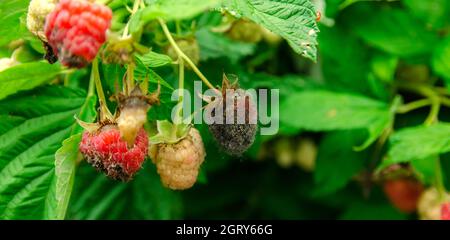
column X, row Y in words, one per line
column 85, row 109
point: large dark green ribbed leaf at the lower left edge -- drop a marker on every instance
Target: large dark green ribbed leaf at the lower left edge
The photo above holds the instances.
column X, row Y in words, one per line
column 27, row 151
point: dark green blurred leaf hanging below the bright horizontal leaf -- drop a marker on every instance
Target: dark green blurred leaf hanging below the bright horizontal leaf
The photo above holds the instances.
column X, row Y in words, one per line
column 337, row 162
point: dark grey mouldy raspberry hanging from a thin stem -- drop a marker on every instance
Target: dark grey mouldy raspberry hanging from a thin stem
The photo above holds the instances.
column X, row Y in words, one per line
column 234, row 138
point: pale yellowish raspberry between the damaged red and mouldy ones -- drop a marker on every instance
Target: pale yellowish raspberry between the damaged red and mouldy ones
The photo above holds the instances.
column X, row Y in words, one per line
column 178, row 164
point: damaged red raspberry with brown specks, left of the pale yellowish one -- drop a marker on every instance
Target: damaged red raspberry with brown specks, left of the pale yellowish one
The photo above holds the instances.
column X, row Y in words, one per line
column 107, row 152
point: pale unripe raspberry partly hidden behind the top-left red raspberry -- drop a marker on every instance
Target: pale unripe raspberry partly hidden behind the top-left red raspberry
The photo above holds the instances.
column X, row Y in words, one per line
column 37, row 12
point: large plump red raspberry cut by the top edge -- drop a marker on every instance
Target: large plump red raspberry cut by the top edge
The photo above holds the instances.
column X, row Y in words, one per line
column 76, row 29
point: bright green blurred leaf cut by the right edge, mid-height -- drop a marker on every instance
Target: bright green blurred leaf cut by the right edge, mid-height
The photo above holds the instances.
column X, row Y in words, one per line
column 419, row 143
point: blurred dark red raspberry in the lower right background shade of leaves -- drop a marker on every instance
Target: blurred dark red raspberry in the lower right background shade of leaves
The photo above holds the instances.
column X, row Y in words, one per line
column 403, row 193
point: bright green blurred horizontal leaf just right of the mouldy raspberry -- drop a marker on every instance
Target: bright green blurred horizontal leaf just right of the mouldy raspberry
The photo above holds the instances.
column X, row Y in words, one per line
column 322, row 110
